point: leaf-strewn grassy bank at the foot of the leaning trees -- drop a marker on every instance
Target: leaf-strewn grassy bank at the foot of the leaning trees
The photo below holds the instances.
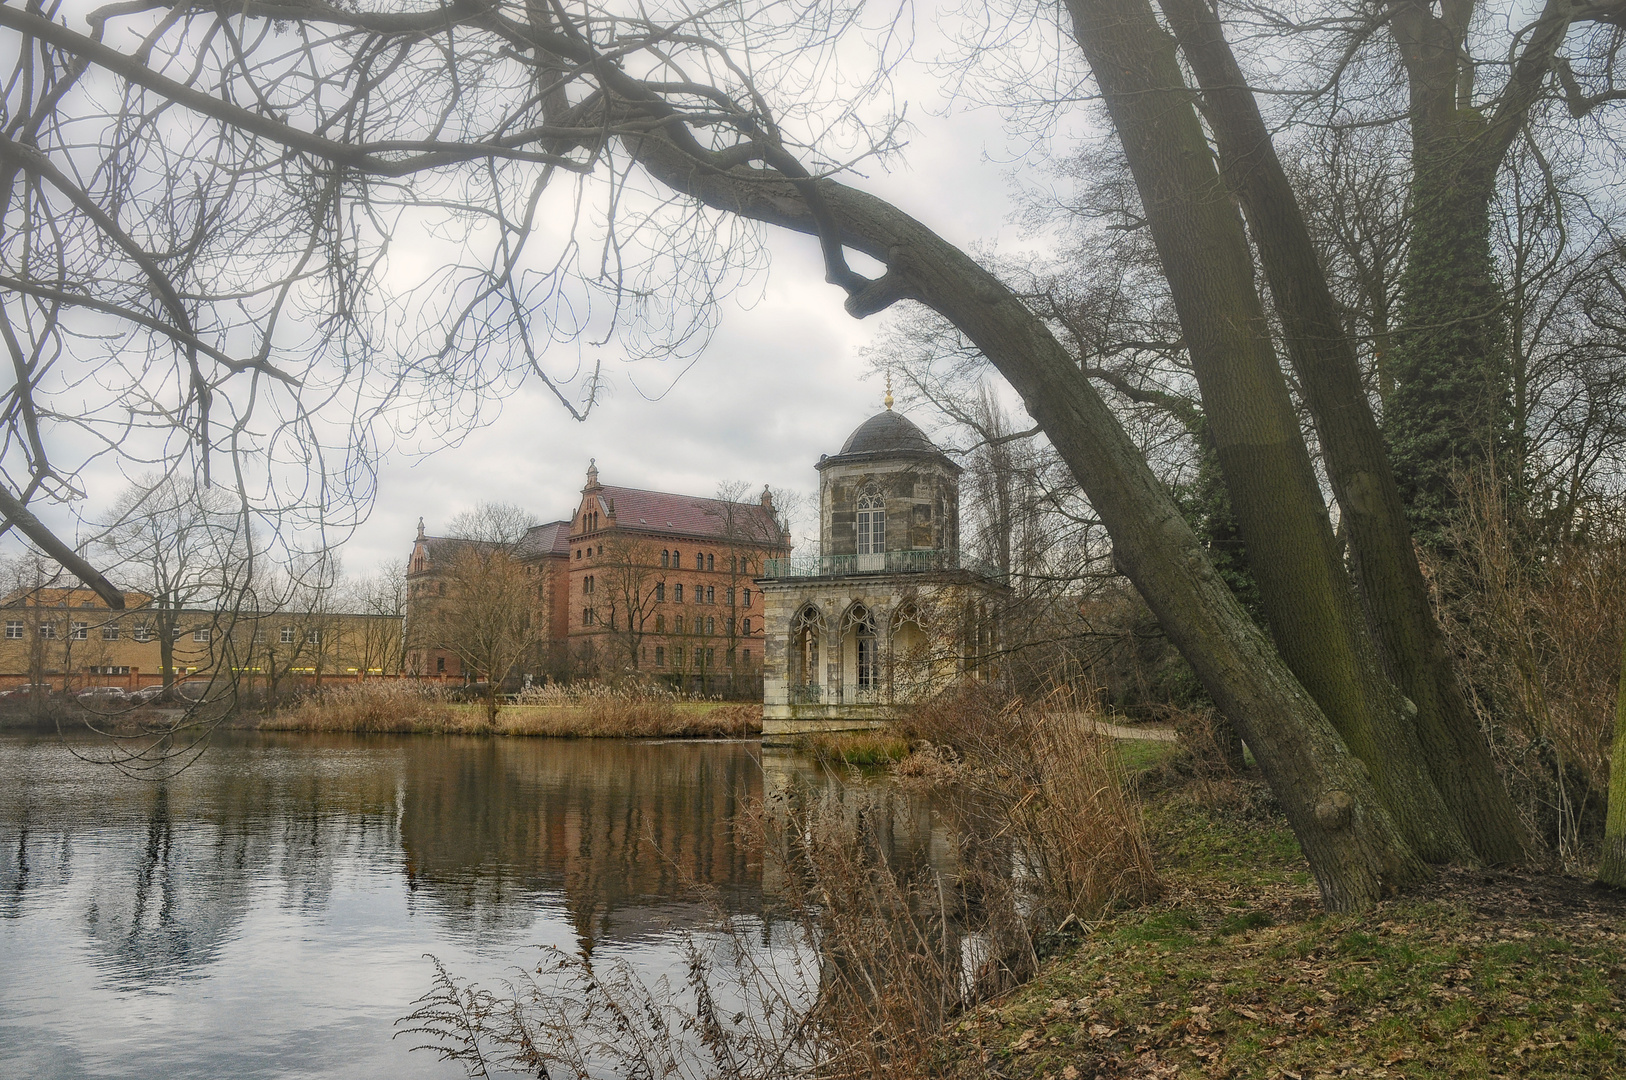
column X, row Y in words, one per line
column 1238, row 973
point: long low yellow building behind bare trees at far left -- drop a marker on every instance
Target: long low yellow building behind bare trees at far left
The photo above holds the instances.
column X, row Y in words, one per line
column 69, row 640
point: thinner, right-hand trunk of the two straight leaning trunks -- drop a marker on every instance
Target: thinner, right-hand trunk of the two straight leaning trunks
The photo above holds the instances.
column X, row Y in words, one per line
column 1391, row 583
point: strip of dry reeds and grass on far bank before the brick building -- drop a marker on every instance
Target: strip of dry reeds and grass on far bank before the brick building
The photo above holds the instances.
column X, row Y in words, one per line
column 399, row 710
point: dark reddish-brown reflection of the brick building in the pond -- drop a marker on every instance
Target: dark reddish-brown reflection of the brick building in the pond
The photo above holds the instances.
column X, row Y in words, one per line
column 620, row 832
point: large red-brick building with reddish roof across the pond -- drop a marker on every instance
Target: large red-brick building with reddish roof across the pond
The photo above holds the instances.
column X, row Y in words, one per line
column 633, row 581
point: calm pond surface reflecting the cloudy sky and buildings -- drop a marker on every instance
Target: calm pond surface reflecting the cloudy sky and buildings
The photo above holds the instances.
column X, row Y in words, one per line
column 269, row 912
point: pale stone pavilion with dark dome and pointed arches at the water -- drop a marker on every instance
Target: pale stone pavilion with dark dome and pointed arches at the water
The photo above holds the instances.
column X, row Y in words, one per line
column 885, row 612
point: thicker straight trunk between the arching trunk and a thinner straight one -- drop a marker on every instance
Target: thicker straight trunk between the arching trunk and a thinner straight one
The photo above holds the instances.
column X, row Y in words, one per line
column 1303, row 586
